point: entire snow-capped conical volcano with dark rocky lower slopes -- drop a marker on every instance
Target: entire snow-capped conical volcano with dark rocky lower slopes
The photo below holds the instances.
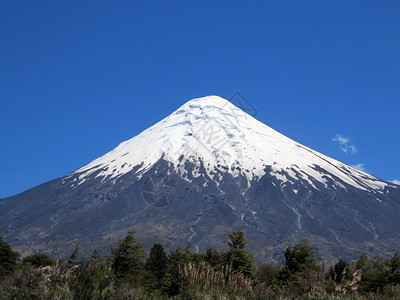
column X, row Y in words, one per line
column 203, row 171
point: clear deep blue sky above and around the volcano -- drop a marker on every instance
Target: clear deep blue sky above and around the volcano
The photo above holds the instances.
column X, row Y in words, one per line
column 79, row 77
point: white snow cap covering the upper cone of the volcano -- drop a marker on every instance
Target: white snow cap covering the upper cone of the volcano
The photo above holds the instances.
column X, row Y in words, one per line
column 213, row 132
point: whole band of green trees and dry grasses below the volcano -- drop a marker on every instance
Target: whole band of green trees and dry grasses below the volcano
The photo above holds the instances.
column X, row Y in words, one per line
column 128, row 274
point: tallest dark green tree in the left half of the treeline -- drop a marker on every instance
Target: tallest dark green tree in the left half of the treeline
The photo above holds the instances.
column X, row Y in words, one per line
column 128, row 258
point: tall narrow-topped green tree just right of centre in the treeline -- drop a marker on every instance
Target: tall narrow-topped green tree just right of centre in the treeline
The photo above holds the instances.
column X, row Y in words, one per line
column 240, row 259
